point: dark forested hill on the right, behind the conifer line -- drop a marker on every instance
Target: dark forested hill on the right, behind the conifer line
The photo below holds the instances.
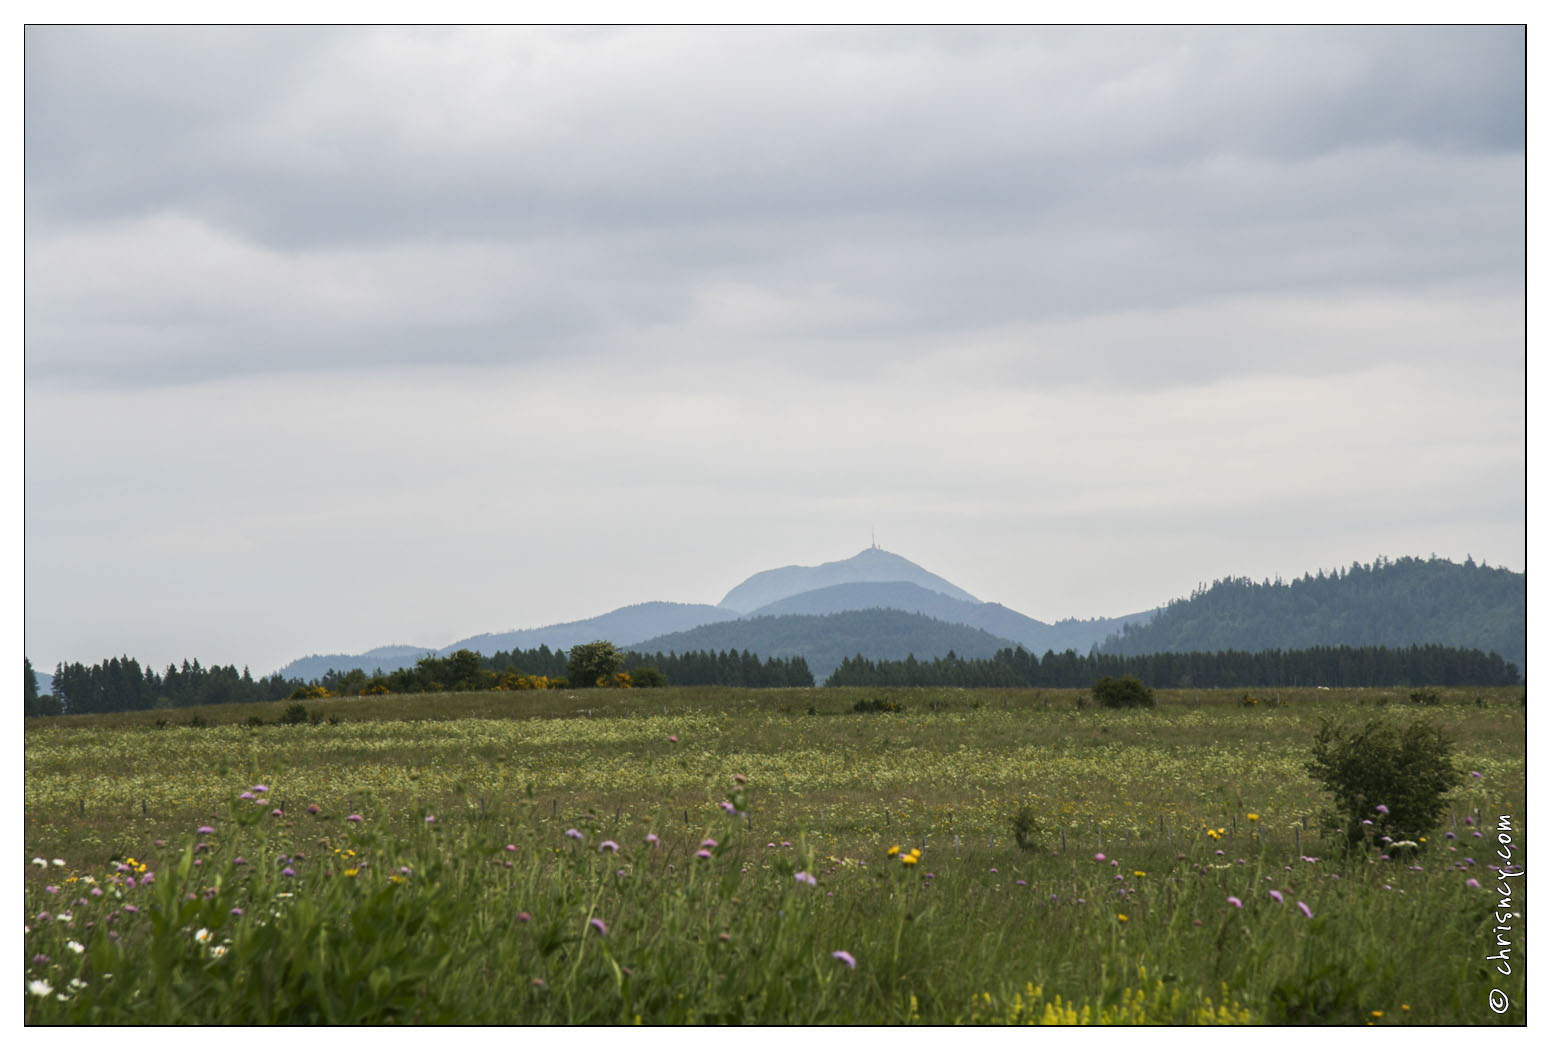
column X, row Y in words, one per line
column 1387, row 604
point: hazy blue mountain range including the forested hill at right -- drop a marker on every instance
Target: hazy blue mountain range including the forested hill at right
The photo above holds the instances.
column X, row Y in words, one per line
column 886, row 607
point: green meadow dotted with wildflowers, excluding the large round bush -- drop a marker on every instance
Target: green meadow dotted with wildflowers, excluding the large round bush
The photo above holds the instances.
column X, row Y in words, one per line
column 758, row 856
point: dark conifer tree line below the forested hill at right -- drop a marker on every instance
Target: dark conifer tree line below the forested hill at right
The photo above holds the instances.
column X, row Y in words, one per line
column 1431, row 666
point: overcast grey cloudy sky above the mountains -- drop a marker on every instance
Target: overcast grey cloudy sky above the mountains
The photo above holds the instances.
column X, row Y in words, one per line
column 340, row 339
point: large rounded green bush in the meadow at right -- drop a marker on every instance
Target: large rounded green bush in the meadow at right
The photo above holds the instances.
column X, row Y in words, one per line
column 1406, row 773
